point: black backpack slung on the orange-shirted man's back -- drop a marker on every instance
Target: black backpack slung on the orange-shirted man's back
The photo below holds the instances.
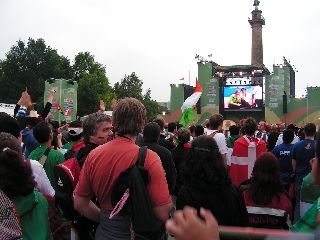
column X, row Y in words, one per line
column 134, row 181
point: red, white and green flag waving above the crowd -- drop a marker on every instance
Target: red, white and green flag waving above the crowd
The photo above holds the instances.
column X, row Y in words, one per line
column 189, row 104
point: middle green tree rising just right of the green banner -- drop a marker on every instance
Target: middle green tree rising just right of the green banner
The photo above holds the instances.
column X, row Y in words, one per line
column 93, row 85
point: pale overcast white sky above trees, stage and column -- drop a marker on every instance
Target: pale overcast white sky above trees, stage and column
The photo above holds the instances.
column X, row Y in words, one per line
column 158, row 40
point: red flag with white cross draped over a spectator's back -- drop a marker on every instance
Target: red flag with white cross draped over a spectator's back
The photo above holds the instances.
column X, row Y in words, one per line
column 244, row 155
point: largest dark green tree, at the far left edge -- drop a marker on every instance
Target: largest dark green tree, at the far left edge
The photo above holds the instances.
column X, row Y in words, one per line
column 29, row 65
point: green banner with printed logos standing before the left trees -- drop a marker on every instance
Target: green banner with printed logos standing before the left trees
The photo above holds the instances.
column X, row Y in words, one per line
column 65, row 98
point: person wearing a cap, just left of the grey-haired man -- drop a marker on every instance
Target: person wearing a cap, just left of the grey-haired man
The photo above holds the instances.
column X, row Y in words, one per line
column 75, row 135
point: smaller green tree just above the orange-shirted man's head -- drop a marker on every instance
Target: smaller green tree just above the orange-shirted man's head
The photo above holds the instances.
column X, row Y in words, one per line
column 131, row 86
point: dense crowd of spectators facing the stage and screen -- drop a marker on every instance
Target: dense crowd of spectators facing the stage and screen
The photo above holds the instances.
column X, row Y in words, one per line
column 200, row 177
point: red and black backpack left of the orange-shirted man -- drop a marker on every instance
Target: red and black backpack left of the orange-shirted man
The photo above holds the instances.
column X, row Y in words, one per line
column 66, row 176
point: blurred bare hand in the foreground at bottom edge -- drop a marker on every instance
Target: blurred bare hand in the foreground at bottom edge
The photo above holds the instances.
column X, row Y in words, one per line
column 186, row 225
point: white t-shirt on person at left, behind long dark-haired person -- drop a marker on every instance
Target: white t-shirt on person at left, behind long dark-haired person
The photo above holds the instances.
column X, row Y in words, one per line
column 40, row 176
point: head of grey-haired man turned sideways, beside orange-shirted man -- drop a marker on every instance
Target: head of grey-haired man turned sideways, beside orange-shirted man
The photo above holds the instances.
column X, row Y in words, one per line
column 97, row 128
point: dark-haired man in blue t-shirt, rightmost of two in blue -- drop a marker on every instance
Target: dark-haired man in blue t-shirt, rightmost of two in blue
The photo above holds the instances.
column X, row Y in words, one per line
column 302, row 153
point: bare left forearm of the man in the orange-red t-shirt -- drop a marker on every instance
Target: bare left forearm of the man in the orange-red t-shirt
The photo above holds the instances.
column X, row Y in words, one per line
column 87, row 208
